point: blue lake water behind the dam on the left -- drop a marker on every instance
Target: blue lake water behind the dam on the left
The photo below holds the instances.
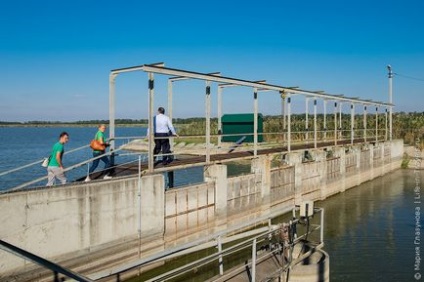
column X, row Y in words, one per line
column 20, row 146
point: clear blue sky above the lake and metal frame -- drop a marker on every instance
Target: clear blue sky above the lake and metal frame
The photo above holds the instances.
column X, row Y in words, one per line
column 55, row 56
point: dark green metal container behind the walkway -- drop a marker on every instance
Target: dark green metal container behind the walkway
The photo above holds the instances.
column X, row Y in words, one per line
column 240, row 124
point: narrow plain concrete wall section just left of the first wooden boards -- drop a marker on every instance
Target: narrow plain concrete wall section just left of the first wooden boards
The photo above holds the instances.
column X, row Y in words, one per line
column 152, row 204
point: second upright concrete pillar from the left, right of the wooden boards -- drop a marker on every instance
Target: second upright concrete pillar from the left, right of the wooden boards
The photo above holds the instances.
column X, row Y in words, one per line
column 261, row 167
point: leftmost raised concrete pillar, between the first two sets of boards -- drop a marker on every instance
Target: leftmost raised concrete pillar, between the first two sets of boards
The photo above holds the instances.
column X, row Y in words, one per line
column 218, row 174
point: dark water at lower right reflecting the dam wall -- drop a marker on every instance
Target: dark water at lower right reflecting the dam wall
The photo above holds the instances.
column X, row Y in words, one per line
column 369, row 230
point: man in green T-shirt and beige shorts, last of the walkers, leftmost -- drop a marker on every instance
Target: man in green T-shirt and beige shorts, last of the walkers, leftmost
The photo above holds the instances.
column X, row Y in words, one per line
column 55, row 168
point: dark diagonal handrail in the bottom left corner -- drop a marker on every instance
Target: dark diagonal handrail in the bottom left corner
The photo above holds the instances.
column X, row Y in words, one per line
column 43, row 262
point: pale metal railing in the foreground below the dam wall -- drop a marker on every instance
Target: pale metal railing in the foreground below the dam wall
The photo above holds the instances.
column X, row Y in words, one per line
column 252, row 240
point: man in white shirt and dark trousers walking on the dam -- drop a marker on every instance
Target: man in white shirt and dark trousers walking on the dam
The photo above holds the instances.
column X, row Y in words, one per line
column 163, row 128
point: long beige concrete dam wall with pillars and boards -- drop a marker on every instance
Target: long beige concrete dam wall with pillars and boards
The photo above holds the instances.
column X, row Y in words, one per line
column 92, row 226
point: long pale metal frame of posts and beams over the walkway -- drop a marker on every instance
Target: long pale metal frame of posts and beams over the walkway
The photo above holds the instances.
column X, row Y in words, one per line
column 179, row 74
